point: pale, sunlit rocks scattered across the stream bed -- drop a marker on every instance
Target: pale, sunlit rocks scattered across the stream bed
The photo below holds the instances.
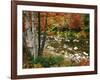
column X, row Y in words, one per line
column 57, row 46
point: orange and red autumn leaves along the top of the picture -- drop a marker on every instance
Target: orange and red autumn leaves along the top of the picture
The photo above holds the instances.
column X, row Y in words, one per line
column 70, row 21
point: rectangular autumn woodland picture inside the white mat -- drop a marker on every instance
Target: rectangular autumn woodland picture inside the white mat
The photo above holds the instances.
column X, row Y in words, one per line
column 57, row 39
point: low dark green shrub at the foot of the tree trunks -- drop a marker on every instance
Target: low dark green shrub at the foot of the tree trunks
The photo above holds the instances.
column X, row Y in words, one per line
column 47, row 61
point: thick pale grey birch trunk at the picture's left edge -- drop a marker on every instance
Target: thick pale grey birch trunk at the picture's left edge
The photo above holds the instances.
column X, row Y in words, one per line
column 30, row 34
